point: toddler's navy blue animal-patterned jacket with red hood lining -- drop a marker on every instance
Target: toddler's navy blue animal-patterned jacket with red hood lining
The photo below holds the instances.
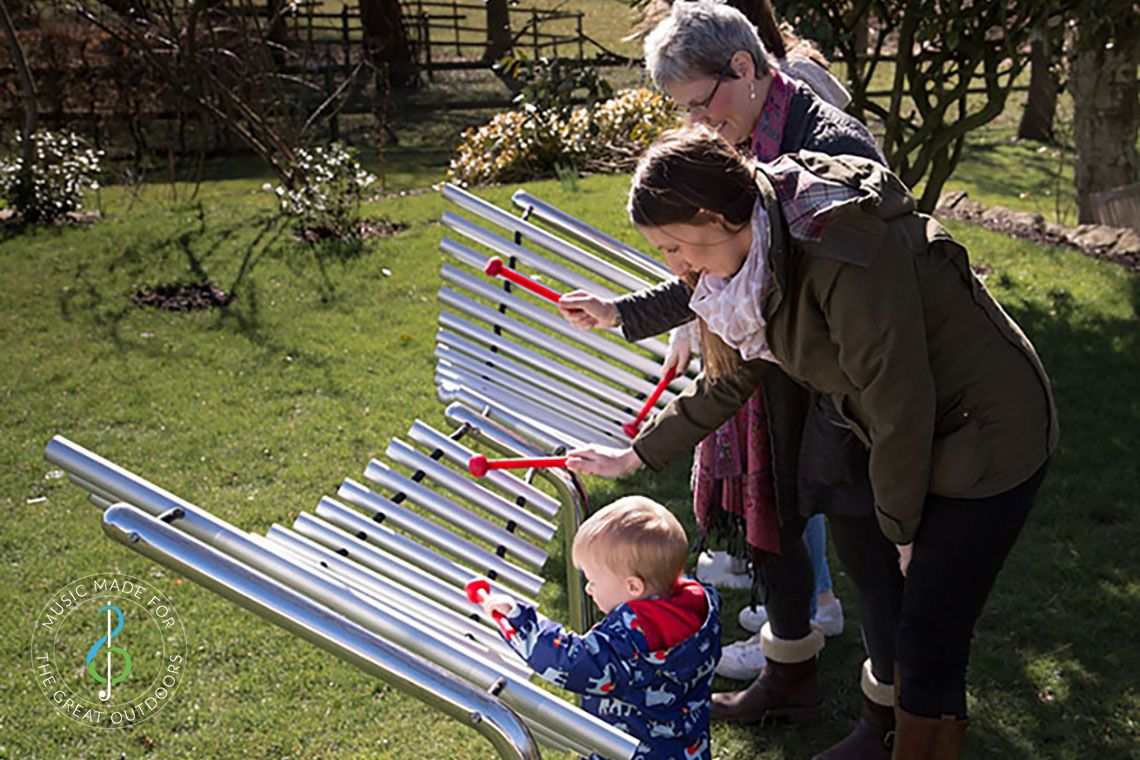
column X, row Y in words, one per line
column 661, row 698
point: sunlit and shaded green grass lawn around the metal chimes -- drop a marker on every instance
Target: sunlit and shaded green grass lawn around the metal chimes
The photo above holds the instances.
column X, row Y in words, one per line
column 258, row 411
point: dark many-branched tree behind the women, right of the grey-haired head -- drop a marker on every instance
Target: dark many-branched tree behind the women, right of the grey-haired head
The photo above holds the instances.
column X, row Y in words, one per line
column 955, row 64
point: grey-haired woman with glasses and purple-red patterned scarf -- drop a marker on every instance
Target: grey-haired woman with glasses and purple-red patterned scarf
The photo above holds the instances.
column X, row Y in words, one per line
column 787, row 453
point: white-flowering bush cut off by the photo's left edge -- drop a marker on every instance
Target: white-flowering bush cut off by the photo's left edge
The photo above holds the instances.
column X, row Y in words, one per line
column 61, row 170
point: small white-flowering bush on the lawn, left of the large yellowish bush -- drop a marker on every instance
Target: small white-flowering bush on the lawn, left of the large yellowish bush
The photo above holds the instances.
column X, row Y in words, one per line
column 329, row 187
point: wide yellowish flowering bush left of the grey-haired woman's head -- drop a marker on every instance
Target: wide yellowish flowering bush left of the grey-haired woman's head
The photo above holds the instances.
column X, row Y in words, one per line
column 609, row 137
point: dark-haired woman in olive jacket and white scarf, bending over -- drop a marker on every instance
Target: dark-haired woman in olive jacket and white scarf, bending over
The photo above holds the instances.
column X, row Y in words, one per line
column 821, row 266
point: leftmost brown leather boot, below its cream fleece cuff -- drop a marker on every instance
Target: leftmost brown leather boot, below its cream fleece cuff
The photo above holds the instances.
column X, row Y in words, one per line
column 783, row 691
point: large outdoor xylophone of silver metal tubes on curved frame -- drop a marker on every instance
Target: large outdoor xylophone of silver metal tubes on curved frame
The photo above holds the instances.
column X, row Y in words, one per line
column 379, row 576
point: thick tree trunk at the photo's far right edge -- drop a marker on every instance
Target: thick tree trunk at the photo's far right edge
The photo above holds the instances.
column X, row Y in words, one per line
column 1106, row 113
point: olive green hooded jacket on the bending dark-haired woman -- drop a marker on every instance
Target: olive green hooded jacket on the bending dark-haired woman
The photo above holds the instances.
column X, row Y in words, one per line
column 885, row 316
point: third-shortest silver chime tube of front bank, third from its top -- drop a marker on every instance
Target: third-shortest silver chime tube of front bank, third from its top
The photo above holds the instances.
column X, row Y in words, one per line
column 503, row 543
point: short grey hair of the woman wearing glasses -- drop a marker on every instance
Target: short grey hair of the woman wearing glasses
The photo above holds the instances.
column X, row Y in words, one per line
column 698, row 39
